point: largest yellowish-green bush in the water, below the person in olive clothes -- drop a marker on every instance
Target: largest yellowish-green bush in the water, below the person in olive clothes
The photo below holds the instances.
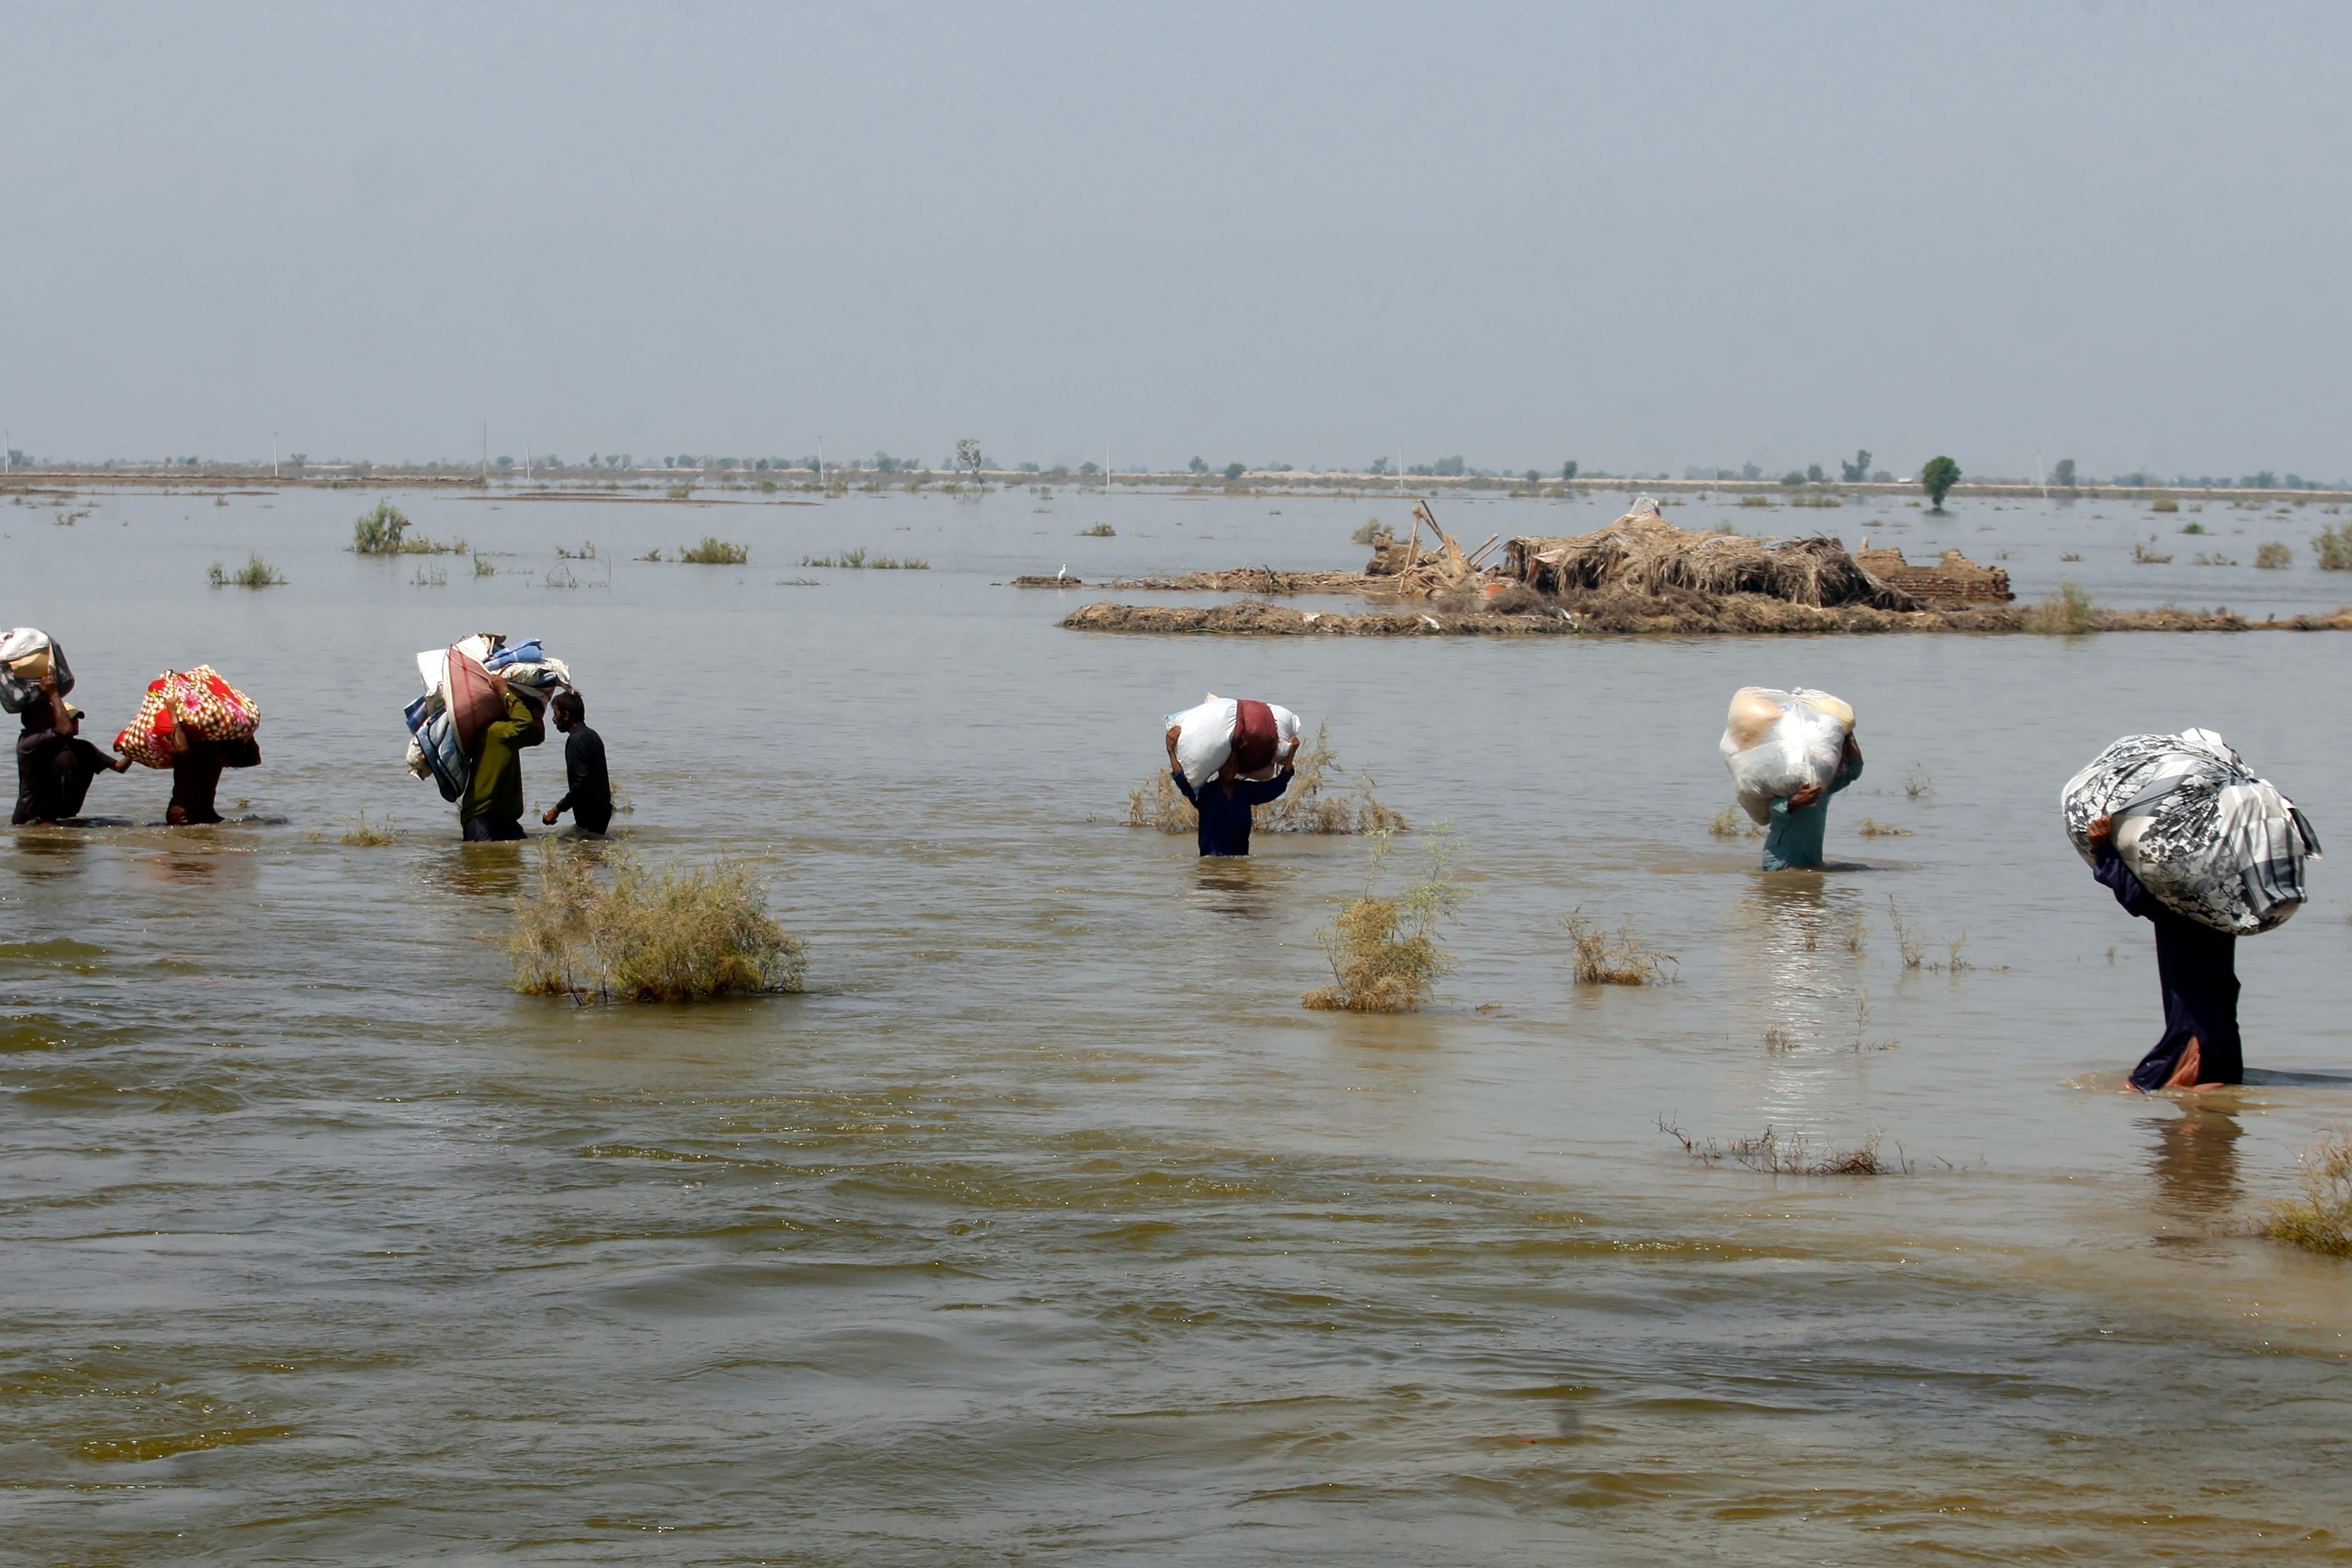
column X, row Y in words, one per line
column 674, row 937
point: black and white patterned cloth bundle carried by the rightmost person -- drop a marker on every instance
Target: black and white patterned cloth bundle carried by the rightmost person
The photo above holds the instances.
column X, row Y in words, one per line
column 2205, row 836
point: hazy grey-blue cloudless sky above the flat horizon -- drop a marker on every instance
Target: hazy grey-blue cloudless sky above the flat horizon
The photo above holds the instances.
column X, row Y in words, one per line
column 1641, row 236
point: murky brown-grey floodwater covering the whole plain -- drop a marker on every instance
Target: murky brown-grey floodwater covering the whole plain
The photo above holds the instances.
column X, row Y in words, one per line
column 1050, row 1226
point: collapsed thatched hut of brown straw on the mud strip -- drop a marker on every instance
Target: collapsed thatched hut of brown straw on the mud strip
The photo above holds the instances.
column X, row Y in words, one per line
column 1645, row 554
